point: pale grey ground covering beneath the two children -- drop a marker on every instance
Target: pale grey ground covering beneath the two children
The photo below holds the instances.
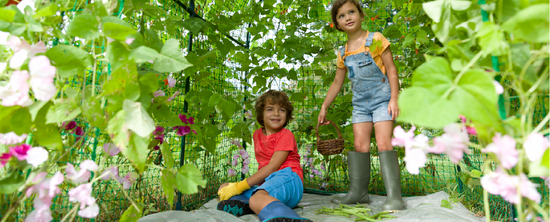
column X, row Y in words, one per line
column 420, row 208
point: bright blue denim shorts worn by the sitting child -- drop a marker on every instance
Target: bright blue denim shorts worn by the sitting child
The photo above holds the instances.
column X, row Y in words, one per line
column 284, row 185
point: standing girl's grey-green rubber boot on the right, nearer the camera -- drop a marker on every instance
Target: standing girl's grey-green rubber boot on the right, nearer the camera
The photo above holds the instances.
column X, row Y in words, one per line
column 389, row 165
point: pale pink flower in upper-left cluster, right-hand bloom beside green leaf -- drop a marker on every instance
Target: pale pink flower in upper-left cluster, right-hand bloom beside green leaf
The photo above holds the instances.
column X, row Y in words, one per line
column 42, row 75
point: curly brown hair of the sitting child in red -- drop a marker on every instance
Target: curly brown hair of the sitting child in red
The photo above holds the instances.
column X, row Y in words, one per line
column 273, row 97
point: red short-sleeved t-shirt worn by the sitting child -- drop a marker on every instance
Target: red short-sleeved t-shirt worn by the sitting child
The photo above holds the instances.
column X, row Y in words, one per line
column 265, row 146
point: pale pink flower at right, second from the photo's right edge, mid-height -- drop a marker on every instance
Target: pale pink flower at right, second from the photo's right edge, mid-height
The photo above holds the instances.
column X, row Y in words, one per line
column 504, row 147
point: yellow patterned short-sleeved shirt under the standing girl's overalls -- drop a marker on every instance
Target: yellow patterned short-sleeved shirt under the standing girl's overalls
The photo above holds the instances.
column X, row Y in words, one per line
column 376, row 55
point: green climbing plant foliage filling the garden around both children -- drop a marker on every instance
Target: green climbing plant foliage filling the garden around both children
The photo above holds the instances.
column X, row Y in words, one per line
column 451, row 46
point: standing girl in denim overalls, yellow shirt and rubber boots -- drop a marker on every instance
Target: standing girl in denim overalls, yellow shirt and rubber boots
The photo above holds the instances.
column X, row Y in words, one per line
column 375, row 89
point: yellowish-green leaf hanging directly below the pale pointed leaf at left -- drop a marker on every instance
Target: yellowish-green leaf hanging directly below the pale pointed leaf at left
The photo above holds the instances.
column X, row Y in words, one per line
column 137, row 152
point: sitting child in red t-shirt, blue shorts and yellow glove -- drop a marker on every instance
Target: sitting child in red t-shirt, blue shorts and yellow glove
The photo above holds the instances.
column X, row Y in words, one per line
column 279, row 175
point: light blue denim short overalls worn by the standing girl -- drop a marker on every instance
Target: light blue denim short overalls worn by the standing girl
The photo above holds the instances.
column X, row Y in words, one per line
column 371, row 88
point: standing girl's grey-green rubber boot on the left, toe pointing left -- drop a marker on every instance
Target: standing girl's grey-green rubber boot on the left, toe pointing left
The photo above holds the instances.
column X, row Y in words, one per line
column 359, row 178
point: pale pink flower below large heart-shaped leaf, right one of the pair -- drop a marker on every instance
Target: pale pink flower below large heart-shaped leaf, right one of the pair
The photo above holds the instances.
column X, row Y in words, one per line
column 453, row 142
